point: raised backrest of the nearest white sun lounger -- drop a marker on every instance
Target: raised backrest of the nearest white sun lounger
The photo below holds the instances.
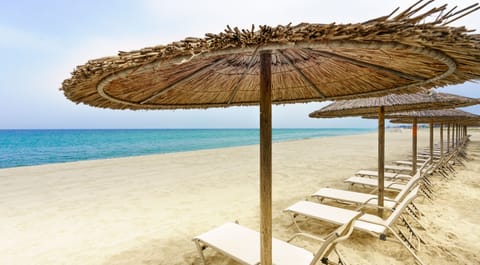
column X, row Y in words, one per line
column 340, row 234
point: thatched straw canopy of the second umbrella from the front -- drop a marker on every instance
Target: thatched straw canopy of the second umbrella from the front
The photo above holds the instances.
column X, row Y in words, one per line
column 393, row 103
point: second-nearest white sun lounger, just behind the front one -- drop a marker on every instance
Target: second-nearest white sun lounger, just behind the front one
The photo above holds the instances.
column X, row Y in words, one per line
column 371, row 224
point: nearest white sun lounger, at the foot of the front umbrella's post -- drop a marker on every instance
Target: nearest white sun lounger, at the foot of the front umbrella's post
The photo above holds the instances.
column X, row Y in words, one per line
column 243, row 245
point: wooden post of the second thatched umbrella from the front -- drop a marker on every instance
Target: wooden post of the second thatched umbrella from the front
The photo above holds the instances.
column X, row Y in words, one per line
column 381, row 158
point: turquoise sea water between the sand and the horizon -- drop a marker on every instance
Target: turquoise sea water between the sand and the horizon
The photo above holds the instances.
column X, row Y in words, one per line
column 36, row 147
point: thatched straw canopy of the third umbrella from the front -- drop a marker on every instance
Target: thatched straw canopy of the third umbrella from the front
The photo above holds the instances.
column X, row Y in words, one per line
column 425, row 116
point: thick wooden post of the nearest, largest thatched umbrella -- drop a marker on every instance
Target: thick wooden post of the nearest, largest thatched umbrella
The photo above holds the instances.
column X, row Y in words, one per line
column 266, row 157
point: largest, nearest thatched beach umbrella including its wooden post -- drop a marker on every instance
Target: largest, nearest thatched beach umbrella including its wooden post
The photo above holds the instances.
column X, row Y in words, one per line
column 284, row 64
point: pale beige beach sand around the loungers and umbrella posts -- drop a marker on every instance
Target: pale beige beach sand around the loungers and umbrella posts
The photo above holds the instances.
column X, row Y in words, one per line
column 145, row 210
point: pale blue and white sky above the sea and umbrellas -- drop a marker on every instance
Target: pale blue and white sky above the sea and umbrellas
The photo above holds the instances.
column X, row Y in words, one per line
column 41, row 42
